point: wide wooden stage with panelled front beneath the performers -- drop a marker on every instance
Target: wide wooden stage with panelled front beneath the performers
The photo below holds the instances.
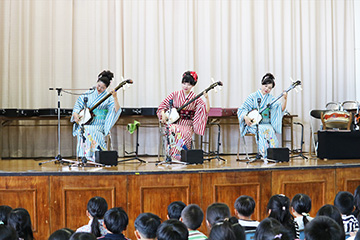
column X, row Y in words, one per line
column 56, row 195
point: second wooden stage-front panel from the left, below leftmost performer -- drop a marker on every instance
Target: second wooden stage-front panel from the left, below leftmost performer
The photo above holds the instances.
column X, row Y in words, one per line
column 69, row 197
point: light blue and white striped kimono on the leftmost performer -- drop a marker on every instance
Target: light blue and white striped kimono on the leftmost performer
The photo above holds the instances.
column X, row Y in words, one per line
column 95, row 132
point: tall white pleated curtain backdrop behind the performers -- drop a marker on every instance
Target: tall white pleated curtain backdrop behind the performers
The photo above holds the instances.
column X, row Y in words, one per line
column 66, row 43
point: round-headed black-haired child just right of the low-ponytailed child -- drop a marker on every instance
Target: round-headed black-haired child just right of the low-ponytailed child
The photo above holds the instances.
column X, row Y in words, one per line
column 116, row 221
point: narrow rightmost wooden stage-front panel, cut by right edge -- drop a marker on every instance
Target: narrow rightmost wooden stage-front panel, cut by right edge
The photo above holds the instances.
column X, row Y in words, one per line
column 347, row 179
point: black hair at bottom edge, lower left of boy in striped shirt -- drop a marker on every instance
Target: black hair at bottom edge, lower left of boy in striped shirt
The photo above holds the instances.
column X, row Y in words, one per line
column 227, row 229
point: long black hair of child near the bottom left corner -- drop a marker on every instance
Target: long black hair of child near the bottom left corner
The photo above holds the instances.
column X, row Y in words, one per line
column 19, row 219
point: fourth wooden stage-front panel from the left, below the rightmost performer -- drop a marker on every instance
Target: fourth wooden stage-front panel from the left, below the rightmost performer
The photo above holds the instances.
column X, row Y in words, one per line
column 226, row 187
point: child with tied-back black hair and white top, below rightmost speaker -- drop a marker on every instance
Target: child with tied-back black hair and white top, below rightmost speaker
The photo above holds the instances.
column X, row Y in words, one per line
column 300, row 208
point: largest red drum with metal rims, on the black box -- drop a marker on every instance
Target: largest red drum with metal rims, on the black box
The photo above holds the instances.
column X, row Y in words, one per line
column 336, row 119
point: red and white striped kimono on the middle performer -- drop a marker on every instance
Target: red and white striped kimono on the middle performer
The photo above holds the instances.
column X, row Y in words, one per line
column 182, row 131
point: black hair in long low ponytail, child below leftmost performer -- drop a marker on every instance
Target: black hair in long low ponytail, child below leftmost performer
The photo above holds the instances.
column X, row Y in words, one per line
column 97, row 207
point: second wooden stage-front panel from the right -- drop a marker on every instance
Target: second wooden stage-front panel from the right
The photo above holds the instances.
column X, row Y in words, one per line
column 318, row 184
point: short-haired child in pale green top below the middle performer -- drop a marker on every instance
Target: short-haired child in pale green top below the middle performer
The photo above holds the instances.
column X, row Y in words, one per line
column 192, row 216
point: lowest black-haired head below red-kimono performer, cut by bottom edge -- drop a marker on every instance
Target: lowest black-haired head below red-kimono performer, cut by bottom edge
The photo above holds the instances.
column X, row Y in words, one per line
column 172, row 230
